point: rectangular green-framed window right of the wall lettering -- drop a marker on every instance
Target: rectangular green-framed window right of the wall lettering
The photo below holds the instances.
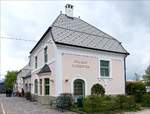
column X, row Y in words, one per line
column 104, row 68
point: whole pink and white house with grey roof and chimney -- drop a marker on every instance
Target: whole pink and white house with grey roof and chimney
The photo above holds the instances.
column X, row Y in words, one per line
column 72, row 56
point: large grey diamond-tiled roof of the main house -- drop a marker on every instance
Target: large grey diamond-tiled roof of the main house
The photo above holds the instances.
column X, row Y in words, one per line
column 73, row 31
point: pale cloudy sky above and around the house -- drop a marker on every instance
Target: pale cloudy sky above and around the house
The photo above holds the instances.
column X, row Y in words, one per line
column 127, row 21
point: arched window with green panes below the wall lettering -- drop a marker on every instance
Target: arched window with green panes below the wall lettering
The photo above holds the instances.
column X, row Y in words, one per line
column 79, row 87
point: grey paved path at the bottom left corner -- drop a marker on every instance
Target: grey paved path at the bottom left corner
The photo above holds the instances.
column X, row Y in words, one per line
column 16, row 105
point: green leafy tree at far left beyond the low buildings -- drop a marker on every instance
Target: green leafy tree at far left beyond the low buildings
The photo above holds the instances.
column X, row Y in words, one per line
column 10, row 79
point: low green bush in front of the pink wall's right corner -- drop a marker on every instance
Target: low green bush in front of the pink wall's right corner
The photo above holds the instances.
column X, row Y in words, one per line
column 123, row 102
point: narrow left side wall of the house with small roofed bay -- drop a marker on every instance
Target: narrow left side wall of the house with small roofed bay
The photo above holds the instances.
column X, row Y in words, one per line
column 39, row 52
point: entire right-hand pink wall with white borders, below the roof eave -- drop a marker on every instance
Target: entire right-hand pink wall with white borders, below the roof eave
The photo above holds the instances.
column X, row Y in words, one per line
column 91, row 71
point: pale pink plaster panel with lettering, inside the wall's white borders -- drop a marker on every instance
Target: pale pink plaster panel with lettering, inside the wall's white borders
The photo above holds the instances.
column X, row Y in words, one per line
column 87, row 68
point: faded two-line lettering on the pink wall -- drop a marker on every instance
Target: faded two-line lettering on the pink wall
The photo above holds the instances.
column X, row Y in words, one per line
column 80, row 64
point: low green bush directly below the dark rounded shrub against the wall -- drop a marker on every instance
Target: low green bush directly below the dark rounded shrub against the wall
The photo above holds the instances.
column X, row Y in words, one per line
column 95, row 103
